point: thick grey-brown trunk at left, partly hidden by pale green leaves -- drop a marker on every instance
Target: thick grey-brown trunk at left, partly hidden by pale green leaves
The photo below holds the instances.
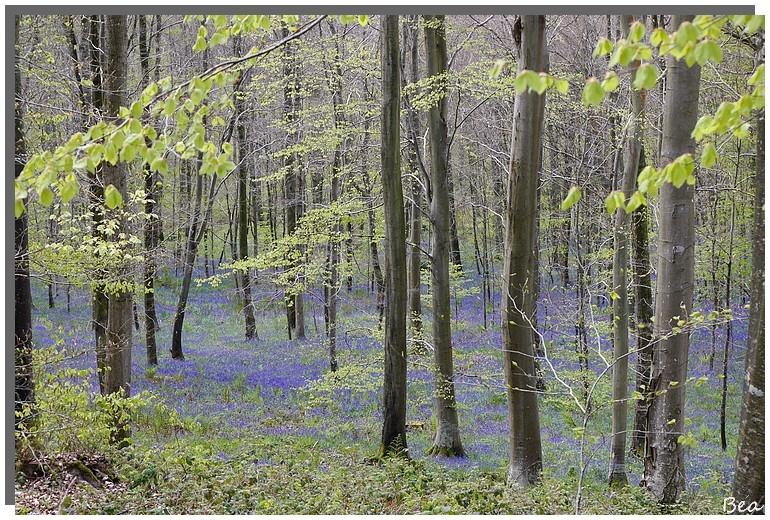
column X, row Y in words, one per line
column 120, row 311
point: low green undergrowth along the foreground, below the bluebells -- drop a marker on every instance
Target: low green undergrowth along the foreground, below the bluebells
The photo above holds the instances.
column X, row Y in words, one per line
column 296, row 475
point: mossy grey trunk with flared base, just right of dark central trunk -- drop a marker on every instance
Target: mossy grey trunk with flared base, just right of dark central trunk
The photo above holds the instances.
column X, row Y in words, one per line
column 447, row 438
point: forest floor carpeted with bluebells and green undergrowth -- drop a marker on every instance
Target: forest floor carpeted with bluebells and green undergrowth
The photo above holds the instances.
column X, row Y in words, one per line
column 263, row 427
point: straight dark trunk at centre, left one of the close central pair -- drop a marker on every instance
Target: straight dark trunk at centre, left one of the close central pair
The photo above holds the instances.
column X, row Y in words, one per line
column 394, row 379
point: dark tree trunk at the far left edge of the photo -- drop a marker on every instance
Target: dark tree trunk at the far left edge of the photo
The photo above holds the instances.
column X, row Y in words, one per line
column 24, row 386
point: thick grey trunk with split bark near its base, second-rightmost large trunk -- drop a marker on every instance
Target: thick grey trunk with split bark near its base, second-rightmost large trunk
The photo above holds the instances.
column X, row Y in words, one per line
column 664, row 458
